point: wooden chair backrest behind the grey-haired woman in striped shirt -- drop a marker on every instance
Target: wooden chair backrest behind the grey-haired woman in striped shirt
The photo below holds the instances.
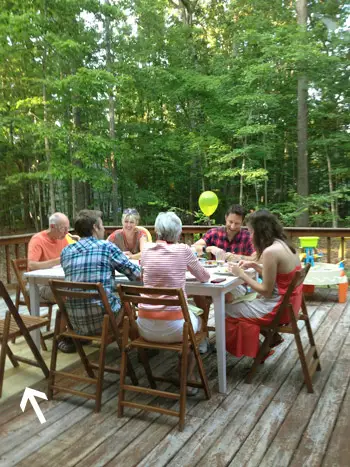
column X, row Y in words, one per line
column 135, row 295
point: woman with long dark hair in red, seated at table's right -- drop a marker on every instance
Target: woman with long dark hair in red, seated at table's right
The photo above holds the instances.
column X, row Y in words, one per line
column 280, row 261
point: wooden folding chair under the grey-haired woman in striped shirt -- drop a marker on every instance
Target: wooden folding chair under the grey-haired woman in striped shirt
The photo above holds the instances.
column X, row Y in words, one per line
column 131, row 295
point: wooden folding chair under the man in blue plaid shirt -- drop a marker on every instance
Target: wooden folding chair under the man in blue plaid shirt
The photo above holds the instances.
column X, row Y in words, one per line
column 63, row 290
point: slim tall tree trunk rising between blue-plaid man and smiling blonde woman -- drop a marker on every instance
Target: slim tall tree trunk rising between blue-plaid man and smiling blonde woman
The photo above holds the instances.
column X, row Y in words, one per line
column 111, row 112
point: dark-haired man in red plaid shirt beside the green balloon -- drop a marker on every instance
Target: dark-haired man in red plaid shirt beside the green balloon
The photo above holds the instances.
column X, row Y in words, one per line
column 236, row 242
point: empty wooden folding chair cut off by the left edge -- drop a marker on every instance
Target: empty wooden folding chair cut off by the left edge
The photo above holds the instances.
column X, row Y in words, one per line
column 15, row 325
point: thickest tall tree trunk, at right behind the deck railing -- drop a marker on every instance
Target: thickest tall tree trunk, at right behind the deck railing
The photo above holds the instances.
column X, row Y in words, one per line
column 303, row 175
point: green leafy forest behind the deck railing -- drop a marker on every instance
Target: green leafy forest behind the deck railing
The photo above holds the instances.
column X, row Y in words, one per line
column 110, row 104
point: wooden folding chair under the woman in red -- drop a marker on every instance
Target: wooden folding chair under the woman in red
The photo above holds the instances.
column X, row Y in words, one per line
column 309, row 362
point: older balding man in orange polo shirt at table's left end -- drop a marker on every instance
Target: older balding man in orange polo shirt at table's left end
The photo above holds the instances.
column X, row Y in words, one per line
column 45, row 248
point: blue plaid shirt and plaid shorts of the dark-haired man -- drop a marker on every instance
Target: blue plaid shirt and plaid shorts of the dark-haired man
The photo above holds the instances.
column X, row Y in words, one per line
column 92, row 260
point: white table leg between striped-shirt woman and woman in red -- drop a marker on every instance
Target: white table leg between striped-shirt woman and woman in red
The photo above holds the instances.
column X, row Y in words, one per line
column 219, row 311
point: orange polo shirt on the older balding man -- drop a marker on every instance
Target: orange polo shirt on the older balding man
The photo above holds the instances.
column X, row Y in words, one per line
column 42, row 248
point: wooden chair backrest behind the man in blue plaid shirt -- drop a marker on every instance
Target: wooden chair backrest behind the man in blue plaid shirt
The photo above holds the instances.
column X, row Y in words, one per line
column 84, row 291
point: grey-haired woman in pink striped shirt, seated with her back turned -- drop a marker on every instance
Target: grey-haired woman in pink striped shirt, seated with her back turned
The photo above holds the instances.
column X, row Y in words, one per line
column 164, row 264
